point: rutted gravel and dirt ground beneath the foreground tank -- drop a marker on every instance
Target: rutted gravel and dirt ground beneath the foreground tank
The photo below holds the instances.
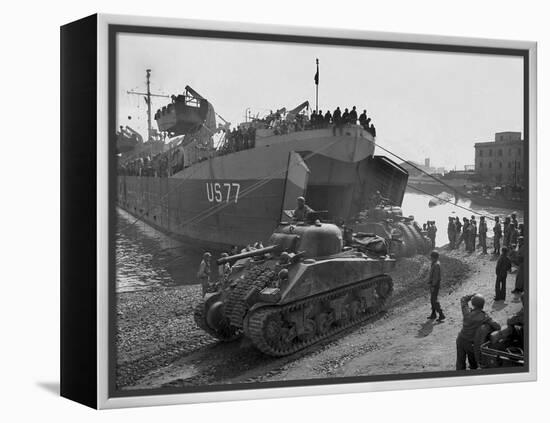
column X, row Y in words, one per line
column 159, row 345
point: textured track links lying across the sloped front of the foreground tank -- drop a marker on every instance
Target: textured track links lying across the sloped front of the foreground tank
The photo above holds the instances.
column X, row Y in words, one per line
column 259, row 276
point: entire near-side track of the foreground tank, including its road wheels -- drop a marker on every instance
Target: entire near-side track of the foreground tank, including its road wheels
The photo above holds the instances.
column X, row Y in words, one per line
column 265, row 325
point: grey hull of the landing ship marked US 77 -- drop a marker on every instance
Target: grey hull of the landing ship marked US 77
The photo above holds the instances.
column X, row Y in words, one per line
column 239, row 198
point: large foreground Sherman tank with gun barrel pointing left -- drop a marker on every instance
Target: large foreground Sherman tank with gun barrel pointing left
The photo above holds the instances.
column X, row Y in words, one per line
column 306, row 286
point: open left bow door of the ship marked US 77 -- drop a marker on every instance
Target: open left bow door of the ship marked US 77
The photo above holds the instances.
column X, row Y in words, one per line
column 295, row 184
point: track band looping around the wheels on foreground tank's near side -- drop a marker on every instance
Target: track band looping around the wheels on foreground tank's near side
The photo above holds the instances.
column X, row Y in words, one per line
column 258, row 319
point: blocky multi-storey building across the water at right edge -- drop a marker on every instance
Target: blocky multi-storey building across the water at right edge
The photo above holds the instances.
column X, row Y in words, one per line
column 501, row 161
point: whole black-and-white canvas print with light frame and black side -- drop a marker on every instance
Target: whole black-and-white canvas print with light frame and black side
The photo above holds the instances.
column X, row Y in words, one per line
column 254, row 211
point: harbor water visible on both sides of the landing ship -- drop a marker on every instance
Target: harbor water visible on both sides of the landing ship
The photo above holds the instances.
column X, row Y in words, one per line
column 146, row 258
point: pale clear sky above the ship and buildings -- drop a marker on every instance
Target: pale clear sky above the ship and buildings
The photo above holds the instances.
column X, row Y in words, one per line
column 423, row 104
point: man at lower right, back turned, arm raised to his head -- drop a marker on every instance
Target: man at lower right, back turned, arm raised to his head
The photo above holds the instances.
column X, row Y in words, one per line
column 473, row 319
